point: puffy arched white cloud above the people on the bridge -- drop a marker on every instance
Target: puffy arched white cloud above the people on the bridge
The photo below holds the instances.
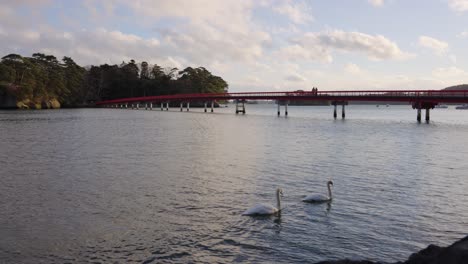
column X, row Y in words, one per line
column 319, row 46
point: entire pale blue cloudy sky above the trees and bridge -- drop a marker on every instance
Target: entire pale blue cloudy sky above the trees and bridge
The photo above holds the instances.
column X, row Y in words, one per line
column 256, row 45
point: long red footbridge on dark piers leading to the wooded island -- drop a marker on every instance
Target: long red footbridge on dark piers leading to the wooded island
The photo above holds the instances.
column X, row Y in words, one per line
column 419, row 99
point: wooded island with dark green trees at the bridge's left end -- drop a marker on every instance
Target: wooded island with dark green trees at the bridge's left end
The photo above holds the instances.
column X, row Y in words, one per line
column 42, row 81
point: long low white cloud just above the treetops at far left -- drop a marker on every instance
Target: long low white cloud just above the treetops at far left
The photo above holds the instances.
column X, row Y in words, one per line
column 86, row 46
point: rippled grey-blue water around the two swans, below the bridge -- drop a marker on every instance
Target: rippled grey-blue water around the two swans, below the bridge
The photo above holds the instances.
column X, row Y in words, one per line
column 103, row 185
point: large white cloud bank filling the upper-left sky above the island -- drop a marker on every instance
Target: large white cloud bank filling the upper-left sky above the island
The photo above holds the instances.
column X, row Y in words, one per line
column 205, row 32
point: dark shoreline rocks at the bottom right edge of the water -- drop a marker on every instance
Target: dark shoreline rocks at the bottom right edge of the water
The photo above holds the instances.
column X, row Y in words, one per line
column 457, row 253
